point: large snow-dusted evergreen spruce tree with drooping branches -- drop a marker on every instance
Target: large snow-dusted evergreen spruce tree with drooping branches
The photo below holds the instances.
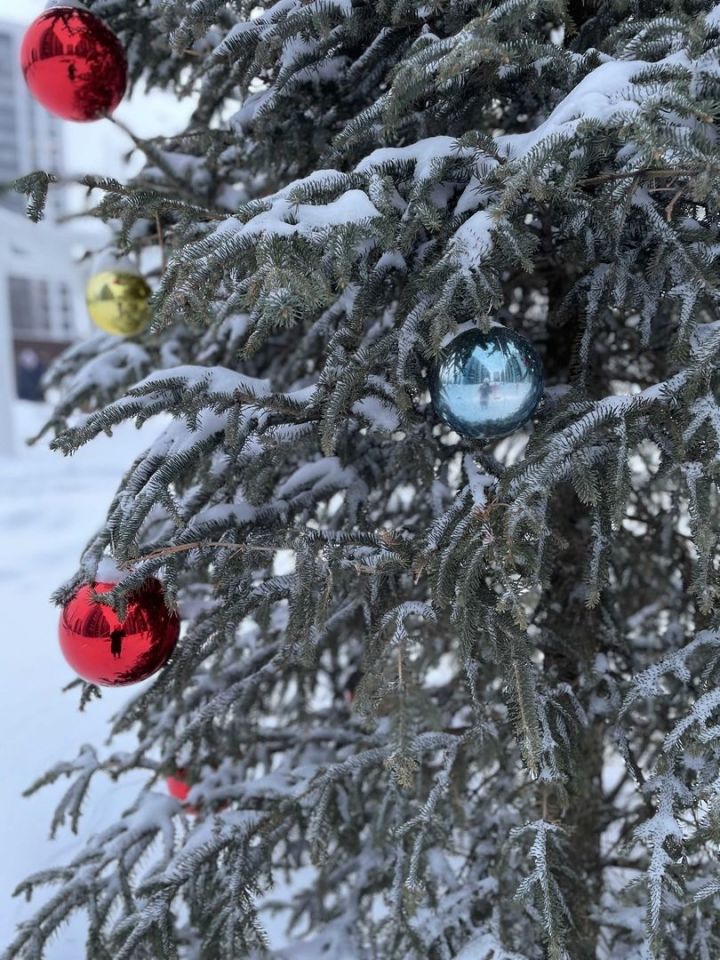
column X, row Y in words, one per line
column 434, row 696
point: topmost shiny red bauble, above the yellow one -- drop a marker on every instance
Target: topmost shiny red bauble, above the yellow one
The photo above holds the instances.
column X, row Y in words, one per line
column 74, row 64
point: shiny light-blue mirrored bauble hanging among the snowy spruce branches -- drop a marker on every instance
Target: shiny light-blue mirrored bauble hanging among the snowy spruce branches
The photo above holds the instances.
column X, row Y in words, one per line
column 487, row 385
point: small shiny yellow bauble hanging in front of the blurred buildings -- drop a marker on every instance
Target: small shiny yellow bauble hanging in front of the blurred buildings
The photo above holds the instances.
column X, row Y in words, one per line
column 118, row 302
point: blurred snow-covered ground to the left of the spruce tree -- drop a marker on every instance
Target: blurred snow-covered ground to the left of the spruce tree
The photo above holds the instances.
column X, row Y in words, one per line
column 49, row 507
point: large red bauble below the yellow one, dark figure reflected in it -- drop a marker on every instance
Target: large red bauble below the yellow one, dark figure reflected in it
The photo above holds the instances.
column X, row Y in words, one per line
column 111, row 652
